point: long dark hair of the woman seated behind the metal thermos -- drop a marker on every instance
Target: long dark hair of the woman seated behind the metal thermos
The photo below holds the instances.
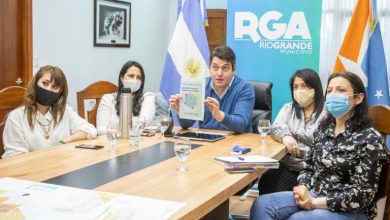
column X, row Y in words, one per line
column 138, row 96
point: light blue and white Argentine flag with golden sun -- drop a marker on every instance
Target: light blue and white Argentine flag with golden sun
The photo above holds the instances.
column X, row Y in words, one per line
column 188, row 51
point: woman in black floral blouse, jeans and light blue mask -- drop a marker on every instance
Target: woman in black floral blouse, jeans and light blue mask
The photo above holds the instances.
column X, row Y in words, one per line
column 342, row 168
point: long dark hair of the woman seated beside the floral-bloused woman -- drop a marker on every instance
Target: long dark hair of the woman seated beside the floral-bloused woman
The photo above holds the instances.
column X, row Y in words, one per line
column 311, row 78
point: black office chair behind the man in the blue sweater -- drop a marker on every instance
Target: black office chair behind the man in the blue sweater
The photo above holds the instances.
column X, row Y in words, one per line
column 263, row 102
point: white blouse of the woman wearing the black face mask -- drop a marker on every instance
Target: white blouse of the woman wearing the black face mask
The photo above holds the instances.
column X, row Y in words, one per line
column 19, row 138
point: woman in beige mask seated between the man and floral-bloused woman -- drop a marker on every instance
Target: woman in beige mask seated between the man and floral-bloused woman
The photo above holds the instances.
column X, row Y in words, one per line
column 294, row 127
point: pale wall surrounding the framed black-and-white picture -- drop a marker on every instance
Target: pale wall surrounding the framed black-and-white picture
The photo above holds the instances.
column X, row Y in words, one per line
column 63, row 36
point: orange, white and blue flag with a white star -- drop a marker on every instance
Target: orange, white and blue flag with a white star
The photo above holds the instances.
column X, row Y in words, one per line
column 362, row 52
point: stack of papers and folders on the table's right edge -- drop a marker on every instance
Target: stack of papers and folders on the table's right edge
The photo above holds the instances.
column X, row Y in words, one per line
column 246, row 162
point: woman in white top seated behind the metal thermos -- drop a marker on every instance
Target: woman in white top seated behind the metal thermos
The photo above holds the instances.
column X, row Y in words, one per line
column 131, row 76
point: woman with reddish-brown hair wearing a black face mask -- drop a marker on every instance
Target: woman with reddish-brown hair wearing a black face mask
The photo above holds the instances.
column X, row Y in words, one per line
column 44, row 119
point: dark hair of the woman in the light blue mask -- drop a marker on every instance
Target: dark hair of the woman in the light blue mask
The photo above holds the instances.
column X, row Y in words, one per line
column 359, row 119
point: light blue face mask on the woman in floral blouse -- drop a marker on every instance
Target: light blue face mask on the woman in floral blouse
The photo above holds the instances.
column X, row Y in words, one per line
column 337, row 104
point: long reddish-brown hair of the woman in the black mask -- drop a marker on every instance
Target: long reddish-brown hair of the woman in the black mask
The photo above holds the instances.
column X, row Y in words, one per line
column 57, row 108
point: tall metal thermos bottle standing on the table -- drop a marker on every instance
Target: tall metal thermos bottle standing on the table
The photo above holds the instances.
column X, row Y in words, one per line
column 125, row 112
